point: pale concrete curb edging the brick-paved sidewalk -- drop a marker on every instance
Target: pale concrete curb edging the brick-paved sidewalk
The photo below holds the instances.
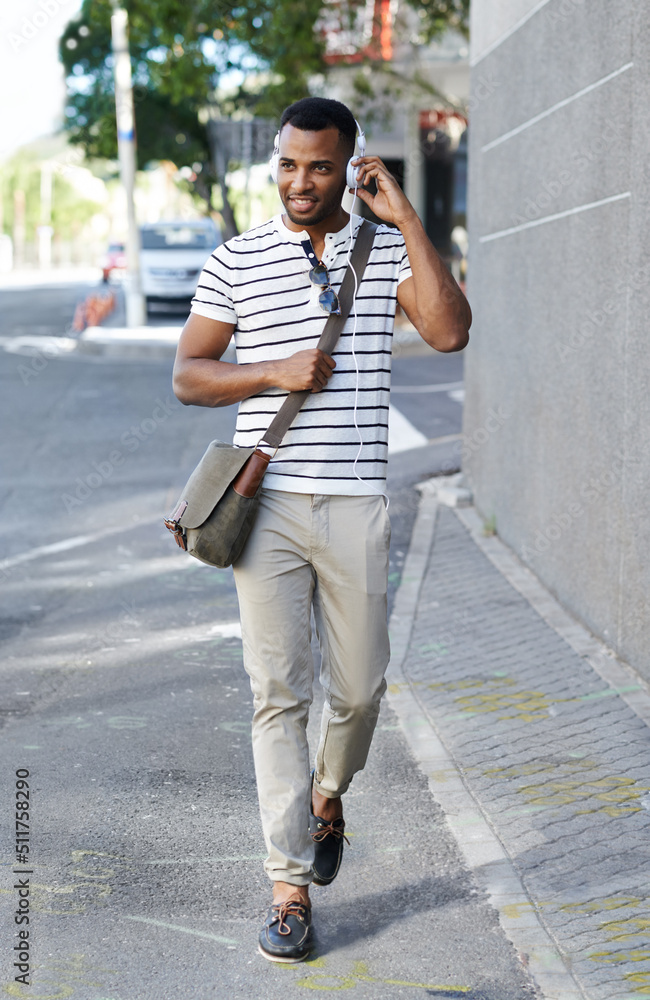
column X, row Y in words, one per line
column 479, row 844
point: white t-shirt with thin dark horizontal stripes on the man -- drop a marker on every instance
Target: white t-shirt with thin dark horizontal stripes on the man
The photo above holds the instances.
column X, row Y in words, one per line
column 259, row 281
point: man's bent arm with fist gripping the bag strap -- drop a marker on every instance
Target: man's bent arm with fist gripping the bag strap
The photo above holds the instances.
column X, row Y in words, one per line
column 202, row 378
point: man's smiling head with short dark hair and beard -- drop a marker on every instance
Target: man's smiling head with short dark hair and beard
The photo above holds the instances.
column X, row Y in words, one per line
column 316, row 140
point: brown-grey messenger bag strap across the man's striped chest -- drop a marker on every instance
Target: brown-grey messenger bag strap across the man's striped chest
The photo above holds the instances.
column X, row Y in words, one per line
column 330, row 335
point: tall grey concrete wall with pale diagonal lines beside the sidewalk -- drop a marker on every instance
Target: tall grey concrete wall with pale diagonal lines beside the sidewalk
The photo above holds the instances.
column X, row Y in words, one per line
column 557, row 405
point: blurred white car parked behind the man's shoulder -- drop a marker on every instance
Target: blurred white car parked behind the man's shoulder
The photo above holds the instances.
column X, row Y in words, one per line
column 172, row 257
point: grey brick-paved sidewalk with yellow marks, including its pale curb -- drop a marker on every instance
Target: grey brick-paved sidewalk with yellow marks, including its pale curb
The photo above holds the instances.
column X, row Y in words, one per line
column 536, row 744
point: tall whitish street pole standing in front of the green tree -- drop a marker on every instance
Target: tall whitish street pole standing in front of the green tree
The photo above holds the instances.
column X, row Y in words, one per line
column 135, row 306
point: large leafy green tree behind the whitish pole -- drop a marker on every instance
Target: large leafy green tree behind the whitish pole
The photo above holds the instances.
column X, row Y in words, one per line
column 264, row 53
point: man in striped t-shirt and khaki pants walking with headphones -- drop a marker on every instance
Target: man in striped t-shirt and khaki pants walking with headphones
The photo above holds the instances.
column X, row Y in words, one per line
column 321, row 535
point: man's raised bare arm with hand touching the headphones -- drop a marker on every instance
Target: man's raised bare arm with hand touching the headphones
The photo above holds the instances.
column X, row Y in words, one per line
column 430, row 298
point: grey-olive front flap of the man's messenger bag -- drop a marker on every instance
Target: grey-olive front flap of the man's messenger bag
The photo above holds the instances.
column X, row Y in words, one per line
column 208, row 483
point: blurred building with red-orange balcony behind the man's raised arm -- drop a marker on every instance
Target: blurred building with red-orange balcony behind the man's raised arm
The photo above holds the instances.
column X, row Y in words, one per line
column 413, row 104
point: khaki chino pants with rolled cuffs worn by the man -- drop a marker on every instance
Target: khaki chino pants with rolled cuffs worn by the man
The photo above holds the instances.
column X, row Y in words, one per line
column 329, row 552
